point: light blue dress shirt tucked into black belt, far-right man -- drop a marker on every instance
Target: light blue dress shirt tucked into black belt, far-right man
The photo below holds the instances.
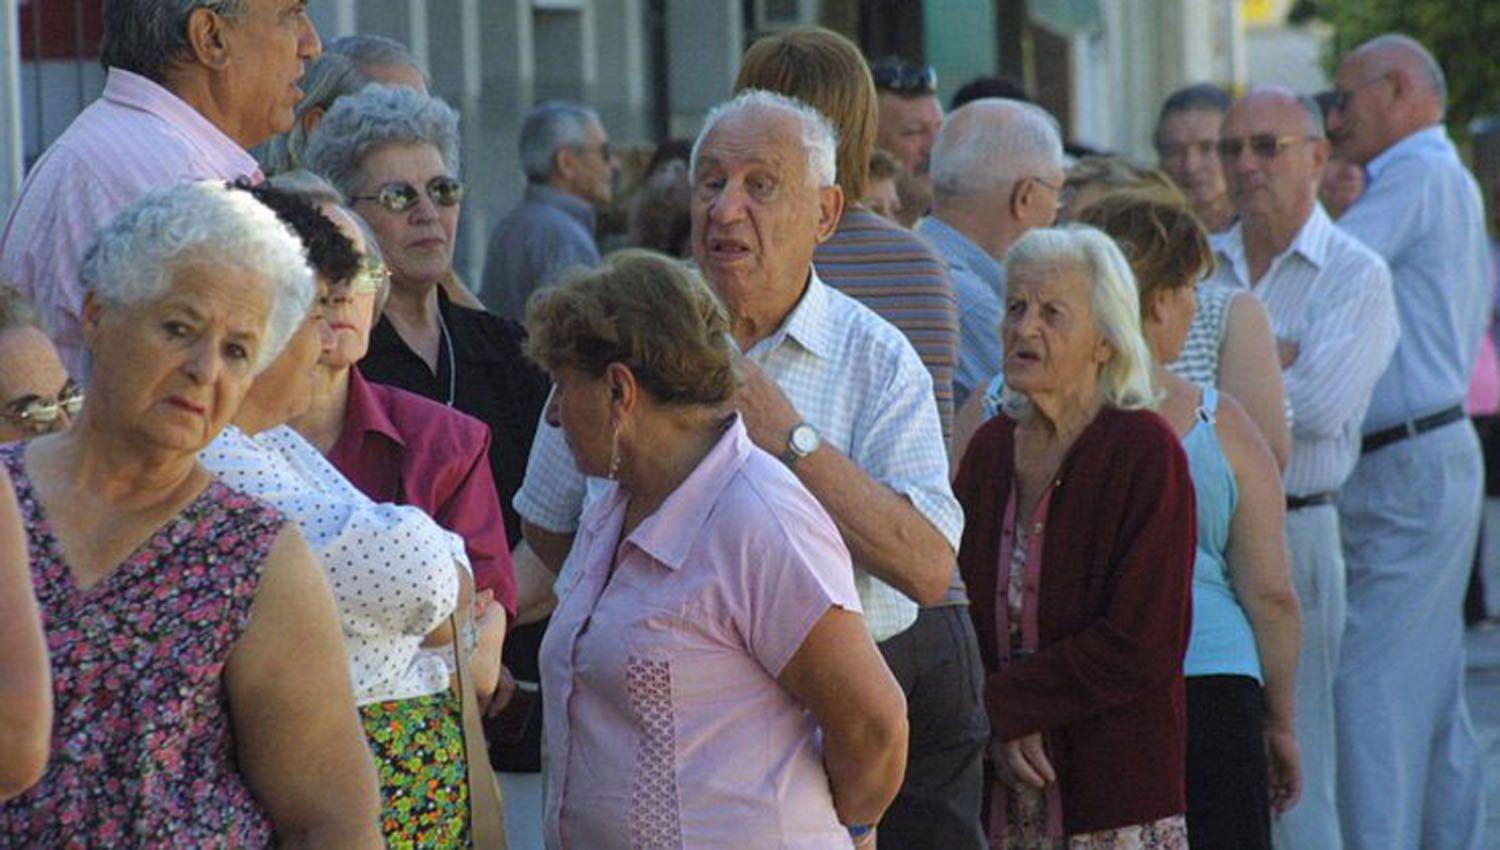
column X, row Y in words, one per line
column 1423, row 214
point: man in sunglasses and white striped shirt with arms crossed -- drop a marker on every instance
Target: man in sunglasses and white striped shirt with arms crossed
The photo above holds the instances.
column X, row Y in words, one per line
column 1336, row 323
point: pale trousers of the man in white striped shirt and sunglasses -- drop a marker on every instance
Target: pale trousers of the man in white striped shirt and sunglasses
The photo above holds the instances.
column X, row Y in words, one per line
column 1318, row 573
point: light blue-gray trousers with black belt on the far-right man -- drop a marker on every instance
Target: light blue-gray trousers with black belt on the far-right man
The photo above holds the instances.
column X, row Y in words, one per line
column 1409, row 765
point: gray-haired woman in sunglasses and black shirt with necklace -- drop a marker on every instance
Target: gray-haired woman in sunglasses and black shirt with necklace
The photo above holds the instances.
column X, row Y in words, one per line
column 395, row 155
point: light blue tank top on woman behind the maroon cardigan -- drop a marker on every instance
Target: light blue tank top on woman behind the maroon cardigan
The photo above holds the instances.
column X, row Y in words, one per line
column 1222, row 642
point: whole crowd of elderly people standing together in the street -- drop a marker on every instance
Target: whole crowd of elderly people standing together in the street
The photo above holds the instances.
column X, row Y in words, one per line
column 913, row 480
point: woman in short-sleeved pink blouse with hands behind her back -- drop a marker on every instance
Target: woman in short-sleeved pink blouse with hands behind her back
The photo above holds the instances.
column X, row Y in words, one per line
column 712, row 683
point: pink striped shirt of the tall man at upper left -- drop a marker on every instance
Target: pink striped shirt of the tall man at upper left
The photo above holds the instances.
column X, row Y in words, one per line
column 134, row 139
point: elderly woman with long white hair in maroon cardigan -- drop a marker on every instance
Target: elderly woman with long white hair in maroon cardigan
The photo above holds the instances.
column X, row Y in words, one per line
column 1079, row 560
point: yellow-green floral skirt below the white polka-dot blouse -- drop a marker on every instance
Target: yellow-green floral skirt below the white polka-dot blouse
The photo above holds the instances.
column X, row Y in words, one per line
column 424, row 777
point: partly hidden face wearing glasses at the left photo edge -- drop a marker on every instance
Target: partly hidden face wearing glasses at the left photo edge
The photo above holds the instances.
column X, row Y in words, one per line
column 37, row 395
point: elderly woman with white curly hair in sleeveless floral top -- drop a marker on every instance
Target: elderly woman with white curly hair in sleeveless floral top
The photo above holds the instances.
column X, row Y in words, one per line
column 200, row 684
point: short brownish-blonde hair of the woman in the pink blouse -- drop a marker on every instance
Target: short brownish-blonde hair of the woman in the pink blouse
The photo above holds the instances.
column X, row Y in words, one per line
column 647, row 311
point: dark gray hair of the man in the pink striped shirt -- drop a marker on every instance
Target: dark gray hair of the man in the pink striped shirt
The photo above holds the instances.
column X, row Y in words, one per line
column 148, row 37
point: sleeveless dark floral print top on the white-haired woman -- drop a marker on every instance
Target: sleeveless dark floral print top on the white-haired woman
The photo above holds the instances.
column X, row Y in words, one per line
column 143, row 749
